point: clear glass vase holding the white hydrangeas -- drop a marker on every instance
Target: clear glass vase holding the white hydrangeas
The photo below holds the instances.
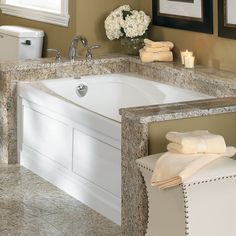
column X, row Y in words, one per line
column 131, row 46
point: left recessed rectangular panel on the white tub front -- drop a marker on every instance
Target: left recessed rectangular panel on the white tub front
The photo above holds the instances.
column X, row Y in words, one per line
column 46, row 135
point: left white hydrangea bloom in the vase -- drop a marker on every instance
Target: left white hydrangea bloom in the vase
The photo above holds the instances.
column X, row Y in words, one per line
column 114, row 22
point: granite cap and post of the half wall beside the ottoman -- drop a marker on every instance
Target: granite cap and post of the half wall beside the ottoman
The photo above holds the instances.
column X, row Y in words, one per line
column 135, row 139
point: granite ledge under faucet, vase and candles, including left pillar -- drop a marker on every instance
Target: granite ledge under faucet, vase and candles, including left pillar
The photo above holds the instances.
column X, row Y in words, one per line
column 201, row 79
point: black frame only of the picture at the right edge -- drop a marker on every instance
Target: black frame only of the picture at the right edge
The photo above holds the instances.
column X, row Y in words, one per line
column 224, row 29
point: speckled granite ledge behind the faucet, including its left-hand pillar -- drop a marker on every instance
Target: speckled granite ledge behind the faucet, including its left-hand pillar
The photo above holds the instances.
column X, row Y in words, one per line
column 41, row 69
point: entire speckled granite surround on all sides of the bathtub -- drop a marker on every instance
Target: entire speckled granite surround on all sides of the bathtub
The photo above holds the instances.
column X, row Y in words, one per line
column 134, row 121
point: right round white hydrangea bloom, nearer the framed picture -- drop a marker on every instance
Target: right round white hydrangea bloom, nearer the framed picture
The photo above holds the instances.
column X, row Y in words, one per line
column 136, row 24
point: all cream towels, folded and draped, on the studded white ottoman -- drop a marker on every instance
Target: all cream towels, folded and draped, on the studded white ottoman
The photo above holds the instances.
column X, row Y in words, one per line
column 187, row 153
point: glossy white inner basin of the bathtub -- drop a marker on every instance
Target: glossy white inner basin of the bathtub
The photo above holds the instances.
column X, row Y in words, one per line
column 108, row 93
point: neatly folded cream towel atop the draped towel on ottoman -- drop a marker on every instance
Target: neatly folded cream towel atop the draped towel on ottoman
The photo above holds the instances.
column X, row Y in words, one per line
column 200, row 141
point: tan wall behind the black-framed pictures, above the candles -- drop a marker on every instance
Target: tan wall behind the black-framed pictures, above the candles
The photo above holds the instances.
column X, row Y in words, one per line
column 209, row 49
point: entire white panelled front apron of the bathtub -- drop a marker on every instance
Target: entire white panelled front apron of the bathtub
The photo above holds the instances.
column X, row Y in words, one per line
column 81, row 161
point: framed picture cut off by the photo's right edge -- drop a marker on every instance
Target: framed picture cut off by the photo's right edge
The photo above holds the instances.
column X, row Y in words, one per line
column 227, row 18
